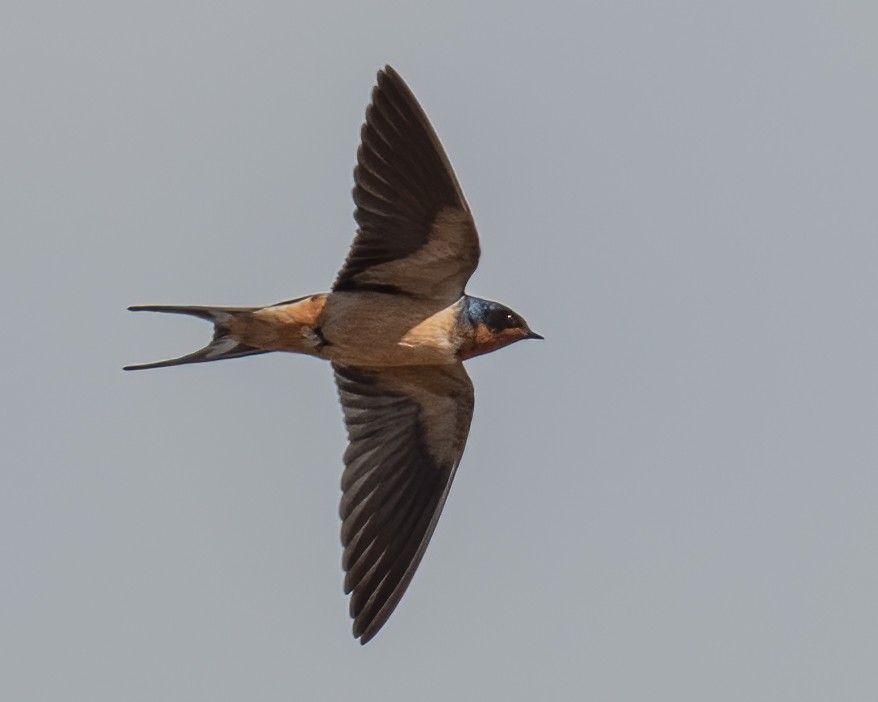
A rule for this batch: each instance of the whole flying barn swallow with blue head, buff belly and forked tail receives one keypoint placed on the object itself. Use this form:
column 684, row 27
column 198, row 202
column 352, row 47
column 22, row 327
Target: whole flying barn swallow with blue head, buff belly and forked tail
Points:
column 396, row 328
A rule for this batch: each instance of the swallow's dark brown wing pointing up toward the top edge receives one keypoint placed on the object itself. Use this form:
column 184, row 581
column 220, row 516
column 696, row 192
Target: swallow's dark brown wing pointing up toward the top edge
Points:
column 416, row 234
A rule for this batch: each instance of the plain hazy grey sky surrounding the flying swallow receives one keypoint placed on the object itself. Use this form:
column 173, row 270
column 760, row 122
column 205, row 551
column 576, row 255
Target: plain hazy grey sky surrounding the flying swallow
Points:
column 671, row 498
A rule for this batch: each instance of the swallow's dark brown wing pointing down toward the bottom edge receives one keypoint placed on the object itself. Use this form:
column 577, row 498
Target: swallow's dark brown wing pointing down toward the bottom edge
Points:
column 407, row 429
